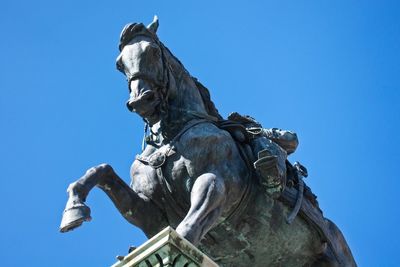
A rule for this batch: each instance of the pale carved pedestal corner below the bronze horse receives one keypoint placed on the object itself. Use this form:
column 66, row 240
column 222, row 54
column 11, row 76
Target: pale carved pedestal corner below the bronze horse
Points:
column 166, row 249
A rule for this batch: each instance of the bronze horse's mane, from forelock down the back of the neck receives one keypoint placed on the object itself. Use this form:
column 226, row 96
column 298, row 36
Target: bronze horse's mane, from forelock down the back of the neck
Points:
column 133, row 29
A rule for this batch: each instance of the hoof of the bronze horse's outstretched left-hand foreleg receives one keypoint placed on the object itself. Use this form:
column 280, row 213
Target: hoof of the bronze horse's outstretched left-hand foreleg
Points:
column 74, row 217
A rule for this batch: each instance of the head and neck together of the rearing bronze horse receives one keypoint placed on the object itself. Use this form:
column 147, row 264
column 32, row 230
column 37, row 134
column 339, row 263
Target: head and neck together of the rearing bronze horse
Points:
column 160, row 87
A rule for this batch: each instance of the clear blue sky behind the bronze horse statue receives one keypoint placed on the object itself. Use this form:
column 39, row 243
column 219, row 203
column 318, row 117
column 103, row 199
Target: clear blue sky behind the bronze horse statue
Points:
column 328, row 70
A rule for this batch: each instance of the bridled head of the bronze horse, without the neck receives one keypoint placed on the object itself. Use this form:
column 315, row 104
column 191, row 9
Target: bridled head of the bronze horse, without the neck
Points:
column 143, row 62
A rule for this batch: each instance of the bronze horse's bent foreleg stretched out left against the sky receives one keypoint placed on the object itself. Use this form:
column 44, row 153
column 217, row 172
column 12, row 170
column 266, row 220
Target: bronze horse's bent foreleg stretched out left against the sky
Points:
column 135, row 208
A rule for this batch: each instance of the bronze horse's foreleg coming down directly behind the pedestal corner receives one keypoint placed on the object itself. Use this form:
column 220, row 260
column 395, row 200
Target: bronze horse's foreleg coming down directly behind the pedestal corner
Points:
column 207, row 200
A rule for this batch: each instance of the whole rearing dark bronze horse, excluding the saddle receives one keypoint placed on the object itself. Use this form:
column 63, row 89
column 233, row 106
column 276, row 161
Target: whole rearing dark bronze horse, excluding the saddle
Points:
column 194, row 175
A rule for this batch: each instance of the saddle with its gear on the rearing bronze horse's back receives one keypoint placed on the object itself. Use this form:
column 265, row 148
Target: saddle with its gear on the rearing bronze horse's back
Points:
column 266, row 150
